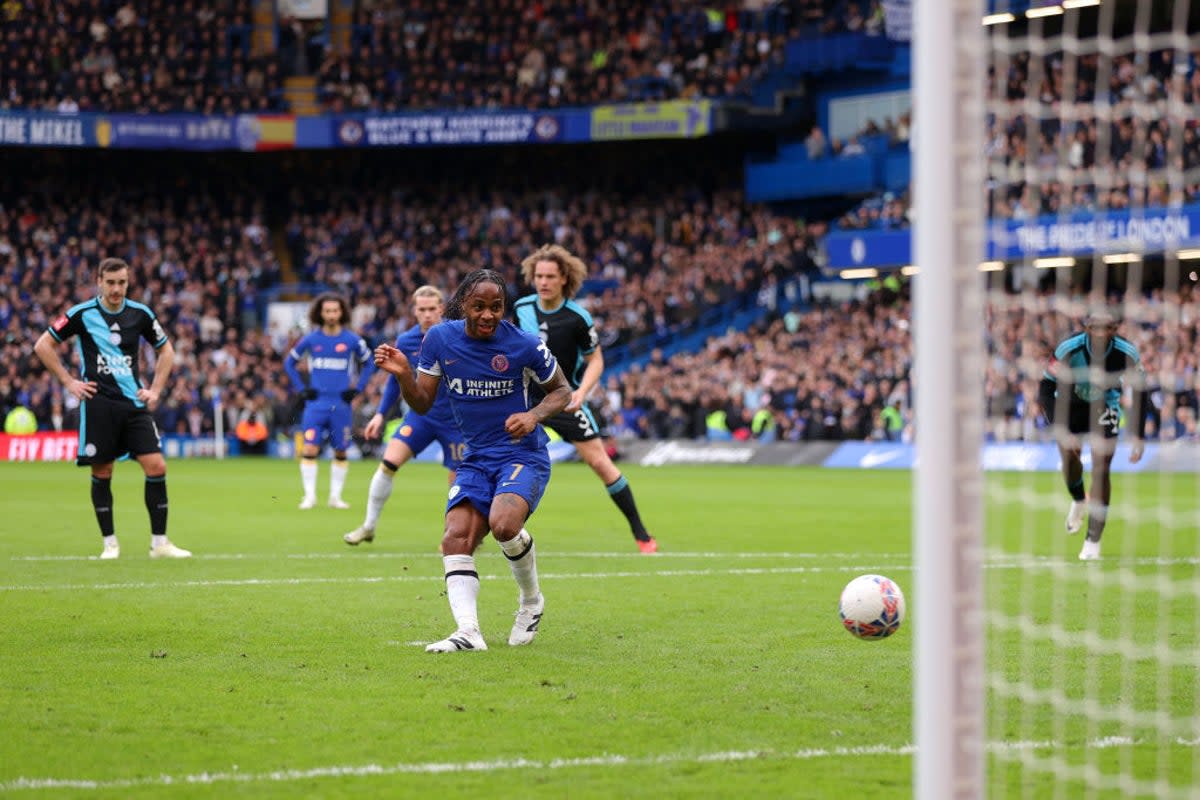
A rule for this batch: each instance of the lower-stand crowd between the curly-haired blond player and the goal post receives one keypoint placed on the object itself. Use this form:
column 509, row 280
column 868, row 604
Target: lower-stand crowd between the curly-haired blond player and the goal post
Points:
column 819, row 375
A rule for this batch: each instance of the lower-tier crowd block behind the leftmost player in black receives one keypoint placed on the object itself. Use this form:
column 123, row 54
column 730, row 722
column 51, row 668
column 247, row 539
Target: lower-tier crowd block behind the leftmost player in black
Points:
column 201, row 256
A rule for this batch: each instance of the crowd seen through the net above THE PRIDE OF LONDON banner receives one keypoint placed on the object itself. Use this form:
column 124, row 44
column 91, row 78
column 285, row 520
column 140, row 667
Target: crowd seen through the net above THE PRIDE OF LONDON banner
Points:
column 1099, row 143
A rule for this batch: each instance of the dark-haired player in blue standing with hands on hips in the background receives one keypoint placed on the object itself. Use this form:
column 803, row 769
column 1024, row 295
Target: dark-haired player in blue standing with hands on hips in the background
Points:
column 334, row 353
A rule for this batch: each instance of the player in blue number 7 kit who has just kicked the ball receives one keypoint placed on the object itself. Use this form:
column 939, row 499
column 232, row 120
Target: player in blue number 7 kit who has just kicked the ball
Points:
column 488, row 365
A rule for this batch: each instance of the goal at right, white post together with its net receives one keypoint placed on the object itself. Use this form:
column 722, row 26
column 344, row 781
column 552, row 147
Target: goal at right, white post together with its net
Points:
column 1089, row 669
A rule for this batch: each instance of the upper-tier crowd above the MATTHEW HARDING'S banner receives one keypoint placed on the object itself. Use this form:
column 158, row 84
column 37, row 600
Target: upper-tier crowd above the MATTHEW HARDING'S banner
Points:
column 208, row 57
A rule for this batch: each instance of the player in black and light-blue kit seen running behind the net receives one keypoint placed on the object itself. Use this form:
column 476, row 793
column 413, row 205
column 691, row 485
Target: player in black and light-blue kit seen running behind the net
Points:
column 1081, row 396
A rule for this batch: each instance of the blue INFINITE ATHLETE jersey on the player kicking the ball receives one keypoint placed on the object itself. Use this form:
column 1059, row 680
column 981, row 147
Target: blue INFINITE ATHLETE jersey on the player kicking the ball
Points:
column 488, row 381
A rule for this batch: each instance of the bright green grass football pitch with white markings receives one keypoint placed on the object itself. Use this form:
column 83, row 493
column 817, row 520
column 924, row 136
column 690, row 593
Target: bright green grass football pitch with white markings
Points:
column 280, row 663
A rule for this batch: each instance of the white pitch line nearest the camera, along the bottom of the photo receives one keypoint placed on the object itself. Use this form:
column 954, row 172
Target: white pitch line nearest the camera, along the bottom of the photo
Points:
column 496, row 766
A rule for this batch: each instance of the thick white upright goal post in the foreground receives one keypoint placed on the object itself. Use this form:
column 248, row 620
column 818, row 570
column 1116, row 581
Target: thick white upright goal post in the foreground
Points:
column 949, row 92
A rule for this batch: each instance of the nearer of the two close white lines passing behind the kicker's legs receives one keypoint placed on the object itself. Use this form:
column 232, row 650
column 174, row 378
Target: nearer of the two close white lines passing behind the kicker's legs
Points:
column 1000, row 564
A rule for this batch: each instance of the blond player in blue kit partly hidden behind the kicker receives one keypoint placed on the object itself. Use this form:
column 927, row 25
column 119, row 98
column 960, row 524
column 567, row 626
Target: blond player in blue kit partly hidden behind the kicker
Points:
column 416, row 431
